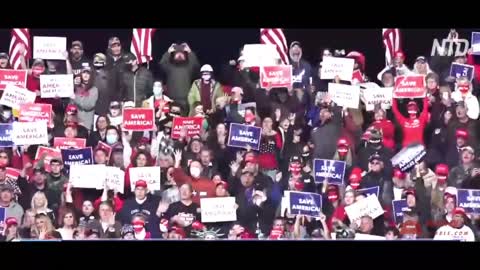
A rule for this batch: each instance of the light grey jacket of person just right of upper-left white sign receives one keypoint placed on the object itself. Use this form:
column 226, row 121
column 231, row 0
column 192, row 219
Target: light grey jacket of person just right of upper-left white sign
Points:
column 85, row 102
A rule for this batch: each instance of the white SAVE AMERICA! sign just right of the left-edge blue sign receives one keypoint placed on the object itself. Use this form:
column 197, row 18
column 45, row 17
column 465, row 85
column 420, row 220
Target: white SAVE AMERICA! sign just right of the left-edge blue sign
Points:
column 25, row 133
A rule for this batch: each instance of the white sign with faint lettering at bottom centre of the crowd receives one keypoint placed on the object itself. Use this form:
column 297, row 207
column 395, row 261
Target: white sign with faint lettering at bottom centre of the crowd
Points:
column 218, row 209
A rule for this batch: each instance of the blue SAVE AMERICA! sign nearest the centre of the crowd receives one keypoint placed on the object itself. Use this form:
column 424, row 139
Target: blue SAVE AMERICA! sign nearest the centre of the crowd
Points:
column 243, row 135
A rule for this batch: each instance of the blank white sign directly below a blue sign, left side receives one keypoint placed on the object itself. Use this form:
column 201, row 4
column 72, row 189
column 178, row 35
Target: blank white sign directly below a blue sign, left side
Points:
column 87, row 176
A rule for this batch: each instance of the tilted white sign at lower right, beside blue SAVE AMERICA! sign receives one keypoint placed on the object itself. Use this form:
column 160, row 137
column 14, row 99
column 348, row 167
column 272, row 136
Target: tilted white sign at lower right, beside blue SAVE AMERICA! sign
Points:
column 369, row 206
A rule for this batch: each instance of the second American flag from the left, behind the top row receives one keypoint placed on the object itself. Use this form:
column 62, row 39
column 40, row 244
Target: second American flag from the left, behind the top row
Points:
column 142, row 44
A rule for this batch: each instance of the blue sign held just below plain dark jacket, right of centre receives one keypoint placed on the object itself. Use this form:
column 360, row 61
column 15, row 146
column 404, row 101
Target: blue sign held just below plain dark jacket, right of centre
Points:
column 333, row 170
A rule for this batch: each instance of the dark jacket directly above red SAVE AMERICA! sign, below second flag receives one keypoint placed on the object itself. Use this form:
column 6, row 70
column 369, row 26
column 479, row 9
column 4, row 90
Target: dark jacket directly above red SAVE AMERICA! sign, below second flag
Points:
column 136, row 86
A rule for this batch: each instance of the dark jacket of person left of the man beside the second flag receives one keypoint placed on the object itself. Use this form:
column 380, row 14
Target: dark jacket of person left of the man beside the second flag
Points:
column 106, row 82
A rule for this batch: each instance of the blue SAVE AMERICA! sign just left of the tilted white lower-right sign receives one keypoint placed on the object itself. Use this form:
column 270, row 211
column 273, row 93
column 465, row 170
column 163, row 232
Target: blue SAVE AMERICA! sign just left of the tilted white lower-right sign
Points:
column 305, row 203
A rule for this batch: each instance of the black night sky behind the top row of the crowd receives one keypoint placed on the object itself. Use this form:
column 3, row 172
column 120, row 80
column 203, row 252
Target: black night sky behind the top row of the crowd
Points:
column 218, row 46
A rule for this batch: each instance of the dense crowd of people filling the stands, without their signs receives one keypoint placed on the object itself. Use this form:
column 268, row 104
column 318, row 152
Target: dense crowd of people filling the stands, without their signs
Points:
column 298, row 125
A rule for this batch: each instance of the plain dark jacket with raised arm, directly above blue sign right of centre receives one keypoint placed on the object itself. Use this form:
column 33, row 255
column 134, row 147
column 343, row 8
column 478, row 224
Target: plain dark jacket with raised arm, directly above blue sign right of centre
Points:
column 325, row 136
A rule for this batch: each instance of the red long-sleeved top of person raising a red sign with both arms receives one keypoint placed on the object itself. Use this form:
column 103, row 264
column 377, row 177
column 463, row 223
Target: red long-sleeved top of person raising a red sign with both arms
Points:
column 412, row 128
